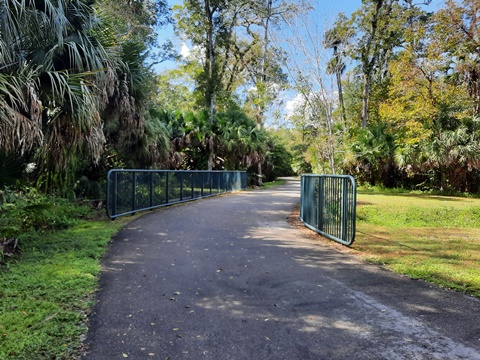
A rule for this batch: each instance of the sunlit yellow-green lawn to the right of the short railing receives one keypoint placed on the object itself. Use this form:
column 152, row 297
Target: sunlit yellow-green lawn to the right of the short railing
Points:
column 430, row 237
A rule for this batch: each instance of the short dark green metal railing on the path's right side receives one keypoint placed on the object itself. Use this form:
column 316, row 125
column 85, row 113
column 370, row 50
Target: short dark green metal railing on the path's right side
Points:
column 328, row 206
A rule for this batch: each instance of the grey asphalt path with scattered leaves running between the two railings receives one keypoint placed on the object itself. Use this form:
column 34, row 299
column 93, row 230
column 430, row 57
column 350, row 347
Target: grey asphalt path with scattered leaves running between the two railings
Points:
column 228, row 278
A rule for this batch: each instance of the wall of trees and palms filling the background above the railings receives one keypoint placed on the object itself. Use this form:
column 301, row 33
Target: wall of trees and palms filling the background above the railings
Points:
column 389, row 93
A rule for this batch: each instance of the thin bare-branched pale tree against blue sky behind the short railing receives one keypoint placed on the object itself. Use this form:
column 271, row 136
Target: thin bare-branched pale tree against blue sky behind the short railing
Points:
column 316, row 88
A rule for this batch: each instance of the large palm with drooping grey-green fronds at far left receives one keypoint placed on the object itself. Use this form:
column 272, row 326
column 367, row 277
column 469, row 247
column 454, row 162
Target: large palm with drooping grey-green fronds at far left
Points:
column 54, row 63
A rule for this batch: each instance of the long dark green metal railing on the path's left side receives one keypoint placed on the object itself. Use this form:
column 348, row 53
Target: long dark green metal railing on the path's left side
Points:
column 130, row 191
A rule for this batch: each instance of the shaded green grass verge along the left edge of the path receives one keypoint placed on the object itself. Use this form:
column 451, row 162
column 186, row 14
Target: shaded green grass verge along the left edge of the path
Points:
column 46, row 292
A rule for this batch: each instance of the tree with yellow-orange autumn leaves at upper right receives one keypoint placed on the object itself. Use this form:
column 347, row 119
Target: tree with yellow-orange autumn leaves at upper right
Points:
column 416, row 87
